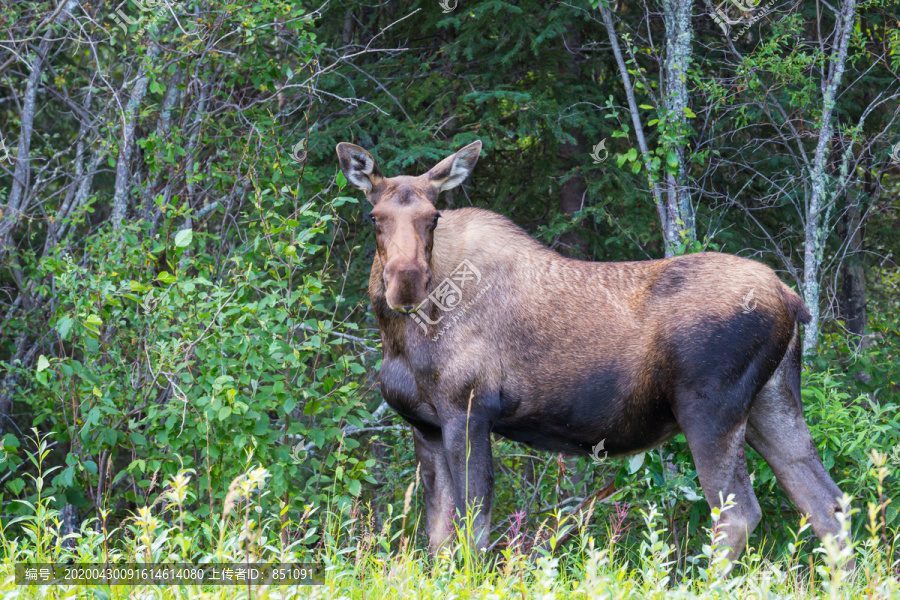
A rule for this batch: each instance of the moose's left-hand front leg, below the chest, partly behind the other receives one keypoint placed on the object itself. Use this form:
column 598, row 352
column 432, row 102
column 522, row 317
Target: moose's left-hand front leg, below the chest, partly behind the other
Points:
column 438, row 484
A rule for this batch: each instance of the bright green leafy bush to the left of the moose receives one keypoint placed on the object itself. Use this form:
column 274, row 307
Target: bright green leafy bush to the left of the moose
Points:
column 159, row 369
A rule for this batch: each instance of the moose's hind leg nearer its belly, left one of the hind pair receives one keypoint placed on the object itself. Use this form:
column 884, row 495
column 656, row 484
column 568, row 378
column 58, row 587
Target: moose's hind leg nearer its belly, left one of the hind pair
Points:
column 718, row 451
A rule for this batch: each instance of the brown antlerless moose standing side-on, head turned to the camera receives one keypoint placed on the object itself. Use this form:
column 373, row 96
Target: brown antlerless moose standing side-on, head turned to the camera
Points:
column 562, row 354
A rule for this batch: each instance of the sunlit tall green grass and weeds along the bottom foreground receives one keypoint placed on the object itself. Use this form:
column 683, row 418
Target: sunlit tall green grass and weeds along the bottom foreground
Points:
column 359, row 559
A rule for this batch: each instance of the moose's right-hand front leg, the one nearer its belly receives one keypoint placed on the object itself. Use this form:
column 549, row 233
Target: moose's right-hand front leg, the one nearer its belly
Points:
column 467, row 442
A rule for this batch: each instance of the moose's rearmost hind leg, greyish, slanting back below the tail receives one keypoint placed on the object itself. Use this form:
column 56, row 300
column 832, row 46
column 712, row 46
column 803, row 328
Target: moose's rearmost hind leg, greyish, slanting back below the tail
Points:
column 776, row 429
